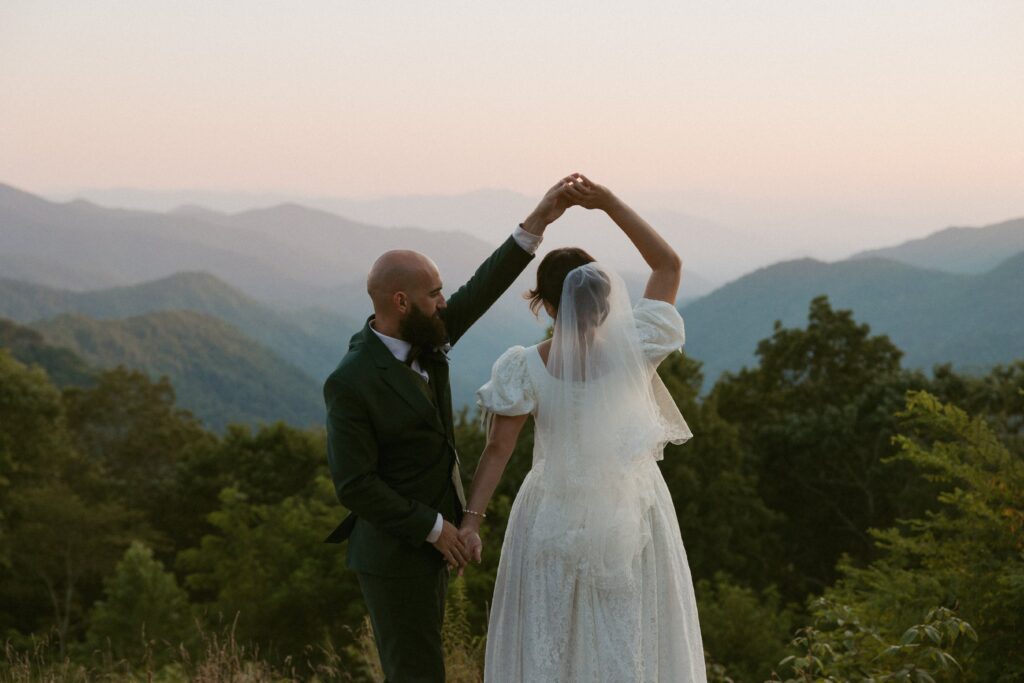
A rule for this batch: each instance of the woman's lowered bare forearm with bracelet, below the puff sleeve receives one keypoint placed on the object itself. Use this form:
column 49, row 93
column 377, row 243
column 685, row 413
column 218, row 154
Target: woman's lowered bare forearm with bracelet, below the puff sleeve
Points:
column 502, row 437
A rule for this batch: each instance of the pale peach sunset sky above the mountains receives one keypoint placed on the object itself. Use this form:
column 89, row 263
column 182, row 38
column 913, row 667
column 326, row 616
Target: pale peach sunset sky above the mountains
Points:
column 909, row 114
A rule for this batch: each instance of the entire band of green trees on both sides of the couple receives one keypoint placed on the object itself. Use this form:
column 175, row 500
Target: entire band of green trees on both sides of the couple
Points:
column 835, row 530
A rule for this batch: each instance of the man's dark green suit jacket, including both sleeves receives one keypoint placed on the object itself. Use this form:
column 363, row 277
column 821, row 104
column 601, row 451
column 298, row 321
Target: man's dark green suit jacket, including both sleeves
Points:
column 391, row 437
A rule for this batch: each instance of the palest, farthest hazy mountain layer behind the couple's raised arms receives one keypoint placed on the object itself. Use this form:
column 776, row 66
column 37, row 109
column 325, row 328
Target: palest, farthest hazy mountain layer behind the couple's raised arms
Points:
column 488, row 216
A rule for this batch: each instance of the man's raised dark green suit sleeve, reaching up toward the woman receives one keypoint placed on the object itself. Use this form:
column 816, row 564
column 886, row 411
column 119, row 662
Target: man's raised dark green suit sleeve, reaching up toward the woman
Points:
column 491, row 280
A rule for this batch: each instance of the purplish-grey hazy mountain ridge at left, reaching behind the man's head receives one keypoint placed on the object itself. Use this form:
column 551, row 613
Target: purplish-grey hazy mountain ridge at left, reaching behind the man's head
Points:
column 286, row 255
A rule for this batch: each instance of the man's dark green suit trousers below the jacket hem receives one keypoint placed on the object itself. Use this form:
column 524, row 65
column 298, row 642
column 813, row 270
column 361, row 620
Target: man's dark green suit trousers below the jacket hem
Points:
column 407, row 615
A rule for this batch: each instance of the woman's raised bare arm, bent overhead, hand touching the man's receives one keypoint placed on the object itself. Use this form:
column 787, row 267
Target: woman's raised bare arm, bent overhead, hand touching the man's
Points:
column 665, row 264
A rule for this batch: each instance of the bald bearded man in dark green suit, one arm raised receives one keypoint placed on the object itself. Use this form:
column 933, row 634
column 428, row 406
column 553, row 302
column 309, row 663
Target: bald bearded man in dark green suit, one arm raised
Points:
column 391, row 442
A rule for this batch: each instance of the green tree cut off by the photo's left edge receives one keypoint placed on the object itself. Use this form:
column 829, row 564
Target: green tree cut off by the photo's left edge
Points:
column 57, row 542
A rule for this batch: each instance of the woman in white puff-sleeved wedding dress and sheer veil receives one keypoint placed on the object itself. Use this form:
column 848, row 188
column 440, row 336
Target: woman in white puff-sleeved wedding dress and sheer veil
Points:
column 593, row 583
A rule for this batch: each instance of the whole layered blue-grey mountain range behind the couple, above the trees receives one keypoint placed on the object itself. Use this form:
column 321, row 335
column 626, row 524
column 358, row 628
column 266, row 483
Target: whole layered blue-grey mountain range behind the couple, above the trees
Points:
column 283, row 288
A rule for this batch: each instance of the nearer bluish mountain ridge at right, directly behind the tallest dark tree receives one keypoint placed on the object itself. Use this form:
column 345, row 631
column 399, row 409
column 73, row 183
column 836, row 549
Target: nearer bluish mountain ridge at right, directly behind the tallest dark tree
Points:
column 973, row 322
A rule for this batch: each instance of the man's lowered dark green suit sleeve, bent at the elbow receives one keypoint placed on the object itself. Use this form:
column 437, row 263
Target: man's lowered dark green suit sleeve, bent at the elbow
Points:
column 352, row 453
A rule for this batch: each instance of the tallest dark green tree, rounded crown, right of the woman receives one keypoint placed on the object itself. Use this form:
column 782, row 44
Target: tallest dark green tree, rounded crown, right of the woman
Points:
column 817, row 415
